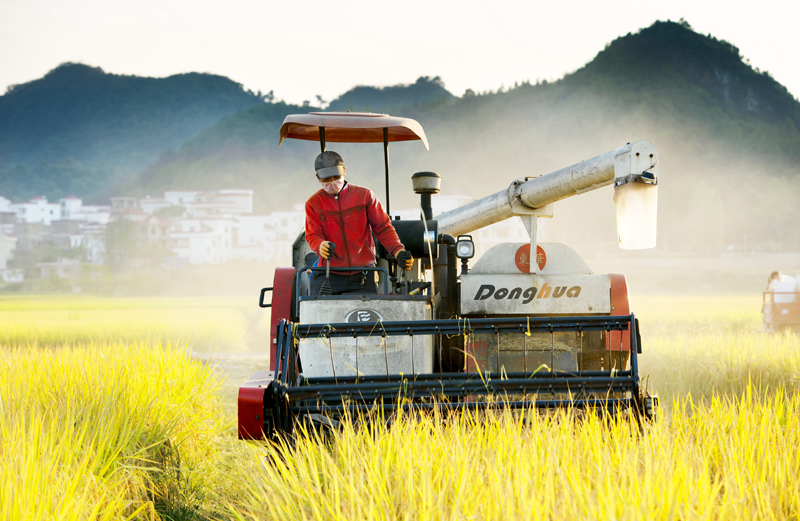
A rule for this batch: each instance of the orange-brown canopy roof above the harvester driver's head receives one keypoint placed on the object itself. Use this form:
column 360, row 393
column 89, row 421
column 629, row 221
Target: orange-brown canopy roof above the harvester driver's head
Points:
column 351, row 127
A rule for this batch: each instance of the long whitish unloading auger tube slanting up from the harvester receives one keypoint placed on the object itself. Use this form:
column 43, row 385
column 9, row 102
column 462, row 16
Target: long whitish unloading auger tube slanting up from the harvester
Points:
column 538, row 192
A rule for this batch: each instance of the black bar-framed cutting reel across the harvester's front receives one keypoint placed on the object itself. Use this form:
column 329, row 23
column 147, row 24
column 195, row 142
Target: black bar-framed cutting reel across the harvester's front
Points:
column 296, row 397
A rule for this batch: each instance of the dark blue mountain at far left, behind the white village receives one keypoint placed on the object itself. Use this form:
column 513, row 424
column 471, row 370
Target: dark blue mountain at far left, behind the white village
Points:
column 102, row 126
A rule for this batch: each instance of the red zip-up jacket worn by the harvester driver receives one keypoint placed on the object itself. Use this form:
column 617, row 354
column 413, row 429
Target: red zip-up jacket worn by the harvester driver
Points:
column 348, row 220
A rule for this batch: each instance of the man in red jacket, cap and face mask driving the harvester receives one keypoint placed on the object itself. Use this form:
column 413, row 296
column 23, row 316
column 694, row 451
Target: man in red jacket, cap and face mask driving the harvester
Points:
column 340, row 221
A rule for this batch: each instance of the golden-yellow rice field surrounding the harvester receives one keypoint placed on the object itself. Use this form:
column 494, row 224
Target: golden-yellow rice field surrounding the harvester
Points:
column 123, row 409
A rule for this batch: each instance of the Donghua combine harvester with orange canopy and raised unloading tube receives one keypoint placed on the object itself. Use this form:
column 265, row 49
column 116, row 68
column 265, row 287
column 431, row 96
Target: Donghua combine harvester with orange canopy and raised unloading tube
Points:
column 516, row 329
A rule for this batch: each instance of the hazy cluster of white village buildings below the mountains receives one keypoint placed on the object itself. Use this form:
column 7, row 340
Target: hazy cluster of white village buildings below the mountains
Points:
column 195, row 226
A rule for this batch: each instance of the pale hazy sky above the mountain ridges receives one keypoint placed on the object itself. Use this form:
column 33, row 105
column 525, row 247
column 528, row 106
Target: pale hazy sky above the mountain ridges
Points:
column 303, row 48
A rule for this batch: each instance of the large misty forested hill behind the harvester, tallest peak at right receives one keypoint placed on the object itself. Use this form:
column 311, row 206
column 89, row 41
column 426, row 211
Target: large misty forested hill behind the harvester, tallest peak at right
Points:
column 726, row 134
